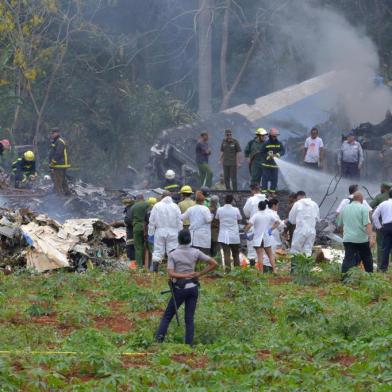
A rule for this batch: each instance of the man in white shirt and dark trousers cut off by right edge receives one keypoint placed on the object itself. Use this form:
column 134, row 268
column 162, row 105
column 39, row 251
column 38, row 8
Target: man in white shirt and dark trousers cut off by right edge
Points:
column 384, row 211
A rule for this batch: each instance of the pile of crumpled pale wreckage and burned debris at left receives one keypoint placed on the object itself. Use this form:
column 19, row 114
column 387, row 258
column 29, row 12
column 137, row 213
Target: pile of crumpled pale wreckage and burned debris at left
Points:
column 40, row 243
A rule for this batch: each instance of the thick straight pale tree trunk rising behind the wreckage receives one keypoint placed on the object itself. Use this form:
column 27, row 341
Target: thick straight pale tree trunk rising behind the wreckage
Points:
column 205, row 57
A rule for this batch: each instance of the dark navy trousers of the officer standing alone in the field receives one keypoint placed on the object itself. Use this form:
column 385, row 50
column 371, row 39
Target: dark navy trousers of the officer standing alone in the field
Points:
column 189, row 296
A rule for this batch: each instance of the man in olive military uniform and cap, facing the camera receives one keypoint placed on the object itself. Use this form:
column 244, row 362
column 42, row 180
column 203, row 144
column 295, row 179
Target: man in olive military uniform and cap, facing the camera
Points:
column 230, row 159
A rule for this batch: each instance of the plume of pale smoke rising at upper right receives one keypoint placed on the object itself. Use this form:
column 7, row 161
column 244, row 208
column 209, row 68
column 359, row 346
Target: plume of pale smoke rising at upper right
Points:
column 327, row 41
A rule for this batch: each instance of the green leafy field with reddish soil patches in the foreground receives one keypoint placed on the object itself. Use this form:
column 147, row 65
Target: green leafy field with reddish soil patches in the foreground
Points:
column 253, row 332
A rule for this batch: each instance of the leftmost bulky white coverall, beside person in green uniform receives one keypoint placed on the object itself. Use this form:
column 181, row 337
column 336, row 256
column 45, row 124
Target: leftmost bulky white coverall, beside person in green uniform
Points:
column 165, row 223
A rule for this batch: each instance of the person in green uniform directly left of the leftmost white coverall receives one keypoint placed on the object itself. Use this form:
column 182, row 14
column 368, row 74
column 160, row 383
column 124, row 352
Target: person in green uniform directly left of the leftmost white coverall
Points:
column 138, row 213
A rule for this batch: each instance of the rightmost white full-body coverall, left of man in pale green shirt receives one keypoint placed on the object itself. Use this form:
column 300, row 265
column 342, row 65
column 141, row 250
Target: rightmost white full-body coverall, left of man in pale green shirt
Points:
column 304, row 214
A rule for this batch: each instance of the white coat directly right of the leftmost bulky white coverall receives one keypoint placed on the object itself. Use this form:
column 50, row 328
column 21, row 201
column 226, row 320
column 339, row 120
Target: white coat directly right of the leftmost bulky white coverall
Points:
column 200, row 225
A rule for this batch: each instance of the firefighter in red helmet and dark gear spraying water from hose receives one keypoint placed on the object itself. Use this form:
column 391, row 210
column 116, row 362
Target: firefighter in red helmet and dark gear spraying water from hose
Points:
column 271, row 149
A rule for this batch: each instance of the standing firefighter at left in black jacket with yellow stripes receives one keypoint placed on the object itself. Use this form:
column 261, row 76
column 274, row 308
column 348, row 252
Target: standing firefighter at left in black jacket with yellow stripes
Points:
column 58, row 162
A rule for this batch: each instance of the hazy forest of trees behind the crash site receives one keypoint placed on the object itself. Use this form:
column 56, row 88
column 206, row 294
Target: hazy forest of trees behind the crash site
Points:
column 113, row 73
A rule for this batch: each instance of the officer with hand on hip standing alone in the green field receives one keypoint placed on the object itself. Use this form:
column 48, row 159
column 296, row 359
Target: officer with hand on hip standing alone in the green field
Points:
column 181, row 271
